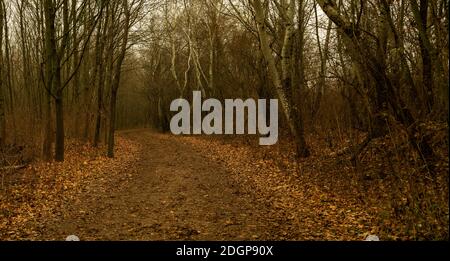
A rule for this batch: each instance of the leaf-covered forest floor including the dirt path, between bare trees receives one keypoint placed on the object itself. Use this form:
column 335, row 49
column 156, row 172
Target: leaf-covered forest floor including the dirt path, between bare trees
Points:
column 162, row 187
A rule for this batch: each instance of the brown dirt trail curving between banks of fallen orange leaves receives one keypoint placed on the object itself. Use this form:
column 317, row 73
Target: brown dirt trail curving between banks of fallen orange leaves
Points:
column 175, row 194
